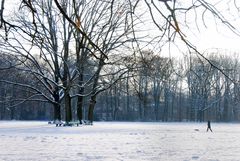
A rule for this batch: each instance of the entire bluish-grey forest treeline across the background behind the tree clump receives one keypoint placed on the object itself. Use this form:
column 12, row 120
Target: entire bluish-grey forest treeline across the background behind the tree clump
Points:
column 158, row 89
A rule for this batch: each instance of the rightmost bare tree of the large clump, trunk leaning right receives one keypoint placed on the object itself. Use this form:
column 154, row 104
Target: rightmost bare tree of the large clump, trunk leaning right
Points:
column 107, row 26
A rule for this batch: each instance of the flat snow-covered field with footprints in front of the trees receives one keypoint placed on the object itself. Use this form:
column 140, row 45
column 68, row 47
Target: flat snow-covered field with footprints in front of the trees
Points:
column 115, row 141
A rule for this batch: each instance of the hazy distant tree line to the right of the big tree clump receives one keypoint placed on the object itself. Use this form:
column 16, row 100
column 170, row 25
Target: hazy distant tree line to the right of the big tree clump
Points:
column 166, row 89
